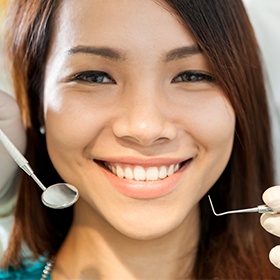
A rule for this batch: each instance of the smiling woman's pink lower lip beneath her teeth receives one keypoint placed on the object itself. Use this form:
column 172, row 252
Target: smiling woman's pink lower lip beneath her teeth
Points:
column 146, row 189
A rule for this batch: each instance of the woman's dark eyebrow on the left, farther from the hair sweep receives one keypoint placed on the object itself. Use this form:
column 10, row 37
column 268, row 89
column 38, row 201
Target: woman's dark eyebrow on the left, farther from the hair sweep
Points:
column 106, row 52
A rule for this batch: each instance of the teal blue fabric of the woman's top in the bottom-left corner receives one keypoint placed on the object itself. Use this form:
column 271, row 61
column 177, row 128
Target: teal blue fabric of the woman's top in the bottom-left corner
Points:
column 30, row 271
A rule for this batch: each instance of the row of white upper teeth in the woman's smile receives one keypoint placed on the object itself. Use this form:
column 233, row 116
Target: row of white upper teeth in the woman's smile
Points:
column 140, row 173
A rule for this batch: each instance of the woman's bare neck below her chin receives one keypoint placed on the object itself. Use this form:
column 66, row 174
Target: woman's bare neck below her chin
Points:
column 101, row 252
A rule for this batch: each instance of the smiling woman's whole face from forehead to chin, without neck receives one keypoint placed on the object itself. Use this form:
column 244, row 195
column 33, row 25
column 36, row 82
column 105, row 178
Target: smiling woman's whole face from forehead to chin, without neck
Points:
column 133, row 117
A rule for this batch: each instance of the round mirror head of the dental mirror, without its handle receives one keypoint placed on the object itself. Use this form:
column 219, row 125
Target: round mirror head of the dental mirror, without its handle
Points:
column 60, row 196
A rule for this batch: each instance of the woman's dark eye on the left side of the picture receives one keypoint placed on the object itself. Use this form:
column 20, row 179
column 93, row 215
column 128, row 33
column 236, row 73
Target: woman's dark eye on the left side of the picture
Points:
column 94, row 77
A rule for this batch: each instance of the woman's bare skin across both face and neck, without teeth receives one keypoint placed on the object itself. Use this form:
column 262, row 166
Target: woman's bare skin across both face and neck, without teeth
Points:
column 139, row 113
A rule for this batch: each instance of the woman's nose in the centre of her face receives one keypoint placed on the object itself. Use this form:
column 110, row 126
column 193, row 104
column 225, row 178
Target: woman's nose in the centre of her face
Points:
column 145, row 119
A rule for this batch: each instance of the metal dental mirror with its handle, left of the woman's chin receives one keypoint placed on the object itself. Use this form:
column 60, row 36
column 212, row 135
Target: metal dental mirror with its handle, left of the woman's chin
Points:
column 56, row 196
